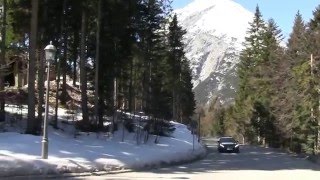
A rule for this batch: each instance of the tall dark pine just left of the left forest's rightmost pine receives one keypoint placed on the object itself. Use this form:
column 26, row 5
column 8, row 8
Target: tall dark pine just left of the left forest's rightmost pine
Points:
column 151, row 37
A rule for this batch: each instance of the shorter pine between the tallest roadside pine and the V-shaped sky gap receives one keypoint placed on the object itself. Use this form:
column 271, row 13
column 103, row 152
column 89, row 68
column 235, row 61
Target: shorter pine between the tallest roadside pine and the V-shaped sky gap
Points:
column 274, row 55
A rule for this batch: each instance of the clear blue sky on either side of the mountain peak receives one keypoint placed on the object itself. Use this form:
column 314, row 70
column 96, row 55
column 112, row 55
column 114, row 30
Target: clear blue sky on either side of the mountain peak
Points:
column 282, row 11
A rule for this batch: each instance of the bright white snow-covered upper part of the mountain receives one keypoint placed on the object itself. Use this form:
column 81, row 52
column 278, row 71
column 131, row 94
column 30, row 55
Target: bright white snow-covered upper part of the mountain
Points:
column 220, row 17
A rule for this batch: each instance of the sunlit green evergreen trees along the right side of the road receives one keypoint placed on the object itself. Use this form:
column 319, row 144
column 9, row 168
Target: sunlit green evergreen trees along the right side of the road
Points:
column 277, row 101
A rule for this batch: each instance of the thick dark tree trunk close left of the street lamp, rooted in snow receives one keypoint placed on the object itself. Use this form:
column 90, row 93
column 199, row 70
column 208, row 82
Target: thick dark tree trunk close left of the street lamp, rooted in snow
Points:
column 31, row 123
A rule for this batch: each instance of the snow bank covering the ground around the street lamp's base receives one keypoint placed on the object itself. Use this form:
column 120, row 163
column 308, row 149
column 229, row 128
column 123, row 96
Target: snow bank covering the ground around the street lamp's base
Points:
column 20, row 154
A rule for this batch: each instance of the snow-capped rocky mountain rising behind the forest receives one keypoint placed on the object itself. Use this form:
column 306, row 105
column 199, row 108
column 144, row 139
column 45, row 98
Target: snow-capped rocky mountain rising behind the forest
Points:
column 215, row 32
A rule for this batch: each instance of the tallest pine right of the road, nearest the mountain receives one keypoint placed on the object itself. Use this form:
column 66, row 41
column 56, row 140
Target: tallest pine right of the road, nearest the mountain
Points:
column 250, row 58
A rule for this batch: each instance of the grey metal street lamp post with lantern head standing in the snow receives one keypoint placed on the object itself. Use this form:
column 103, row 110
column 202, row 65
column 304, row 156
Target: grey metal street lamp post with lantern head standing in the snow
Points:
column 50, row 52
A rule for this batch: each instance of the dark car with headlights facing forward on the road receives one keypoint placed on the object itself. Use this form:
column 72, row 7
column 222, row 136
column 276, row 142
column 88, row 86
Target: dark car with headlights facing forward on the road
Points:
column 228, row 144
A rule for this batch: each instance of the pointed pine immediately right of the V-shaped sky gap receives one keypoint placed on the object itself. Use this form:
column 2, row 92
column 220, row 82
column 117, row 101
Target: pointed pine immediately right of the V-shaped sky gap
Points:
column 296, row 55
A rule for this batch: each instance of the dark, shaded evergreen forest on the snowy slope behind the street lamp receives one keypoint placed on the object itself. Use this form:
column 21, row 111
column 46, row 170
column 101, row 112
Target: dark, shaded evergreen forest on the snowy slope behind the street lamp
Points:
column 115, row 55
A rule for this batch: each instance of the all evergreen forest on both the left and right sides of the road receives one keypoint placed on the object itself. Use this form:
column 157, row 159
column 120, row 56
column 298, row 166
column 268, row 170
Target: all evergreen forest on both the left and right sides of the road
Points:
column 129, row 55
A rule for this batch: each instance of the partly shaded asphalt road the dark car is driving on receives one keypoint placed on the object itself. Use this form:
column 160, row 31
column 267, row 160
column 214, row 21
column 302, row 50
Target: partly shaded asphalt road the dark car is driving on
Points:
column 252, row 163
